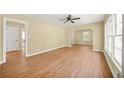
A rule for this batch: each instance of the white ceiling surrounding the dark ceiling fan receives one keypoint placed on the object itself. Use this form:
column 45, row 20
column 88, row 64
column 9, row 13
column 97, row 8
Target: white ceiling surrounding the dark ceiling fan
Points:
column 85, row 18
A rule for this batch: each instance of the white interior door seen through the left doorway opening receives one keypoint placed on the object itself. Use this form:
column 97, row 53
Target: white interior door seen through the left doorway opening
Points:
column 12, row 38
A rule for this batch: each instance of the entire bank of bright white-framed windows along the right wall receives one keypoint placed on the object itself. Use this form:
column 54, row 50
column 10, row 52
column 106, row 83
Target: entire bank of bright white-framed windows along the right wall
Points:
column 113, row 38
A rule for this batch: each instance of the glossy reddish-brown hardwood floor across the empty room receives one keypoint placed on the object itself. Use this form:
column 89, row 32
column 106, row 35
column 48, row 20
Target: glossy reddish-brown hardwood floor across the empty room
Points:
column 78, row 61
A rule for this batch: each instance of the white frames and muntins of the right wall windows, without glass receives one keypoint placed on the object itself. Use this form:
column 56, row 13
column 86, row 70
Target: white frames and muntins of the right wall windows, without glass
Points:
column 112, row 20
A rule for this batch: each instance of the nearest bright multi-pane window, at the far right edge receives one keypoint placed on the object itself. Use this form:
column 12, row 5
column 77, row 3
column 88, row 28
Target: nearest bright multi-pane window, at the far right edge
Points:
column 118, row 40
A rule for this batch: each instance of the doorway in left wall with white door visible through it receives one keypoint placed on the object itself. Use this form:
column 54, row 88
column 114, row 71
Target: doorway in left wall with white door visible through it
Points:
column 14, row 37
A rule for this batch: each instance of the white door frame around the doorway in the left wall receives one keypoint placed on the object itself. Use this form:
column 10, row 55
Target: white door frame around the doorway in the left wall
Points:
column 5, row 19
